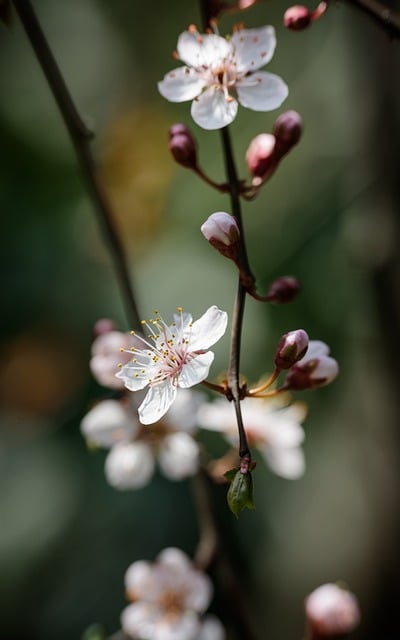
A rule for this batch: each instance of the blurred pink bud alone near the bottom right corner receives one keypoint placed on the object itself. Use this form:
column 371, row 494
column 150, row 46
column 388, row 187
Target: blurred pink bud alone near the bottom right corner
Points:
column 331, row 612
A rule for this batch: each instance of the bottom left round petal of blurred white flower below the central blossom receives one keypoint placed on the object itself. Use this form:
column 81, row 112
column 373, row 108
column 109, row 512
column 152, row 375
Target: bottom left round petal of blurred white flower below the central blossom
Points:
column 129, row 465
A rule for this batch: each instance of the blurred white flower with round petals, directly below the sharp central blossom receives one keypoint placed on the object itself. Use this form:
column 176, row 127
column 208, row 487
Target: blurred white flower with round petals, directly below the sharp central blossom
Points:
column 130, row 464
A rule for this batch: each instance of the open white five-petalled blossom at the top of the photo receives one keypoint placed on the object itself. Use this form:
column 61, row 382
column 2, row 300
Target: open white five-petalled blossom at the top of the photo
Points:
column 215, row 67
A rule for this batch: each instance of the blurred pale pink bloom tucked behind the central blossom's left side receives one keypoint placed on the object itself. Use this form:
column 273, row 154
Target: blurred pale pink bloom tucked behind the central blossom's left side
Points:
column 107, row 355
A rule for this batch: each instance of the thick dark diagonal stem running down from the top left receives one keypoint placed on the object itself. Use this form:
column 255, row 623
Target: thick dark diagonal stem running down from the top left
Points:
column 80, row 136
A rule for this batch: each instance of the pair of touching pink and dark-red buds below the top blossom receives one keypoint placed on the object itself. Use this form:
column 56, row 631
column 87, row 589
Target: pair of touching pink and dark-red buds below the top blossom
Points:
column 267, row 149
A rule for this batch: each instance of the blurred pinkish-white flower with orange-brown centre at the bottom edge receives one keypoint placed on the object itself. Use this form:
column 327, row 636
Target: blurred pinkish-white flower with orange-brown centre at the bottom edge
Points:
column 169, row 598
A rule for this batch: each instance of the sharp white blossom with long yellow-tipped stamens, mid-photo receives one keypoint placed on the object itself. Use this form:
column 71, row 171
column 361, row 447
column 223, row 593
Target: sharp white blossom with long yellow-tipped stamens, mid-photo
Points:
column 173, row 356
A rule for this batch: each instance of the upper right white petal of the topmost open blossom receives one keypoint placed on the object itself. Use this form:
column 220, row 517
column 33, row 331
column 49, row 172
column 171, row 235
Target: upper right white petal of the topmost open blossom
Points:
column 253, row 48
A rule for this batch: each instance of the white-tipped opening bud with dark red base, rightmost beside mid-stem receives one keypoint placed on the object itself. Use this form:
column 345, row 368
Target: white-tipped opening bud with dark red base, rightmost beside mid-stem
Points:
column 314, row 370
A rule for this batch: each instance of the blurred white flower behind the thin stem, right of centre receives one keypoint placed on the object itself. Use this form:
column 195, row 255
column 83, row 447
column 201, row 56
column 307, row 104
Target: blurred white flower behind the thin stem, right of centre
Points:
column 271, row 426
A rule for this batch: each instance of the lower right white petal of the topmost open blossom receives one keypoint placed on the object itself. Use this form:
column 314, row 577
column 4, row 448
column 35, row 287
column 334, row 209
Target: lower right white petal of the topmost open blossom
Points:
column 261, row 91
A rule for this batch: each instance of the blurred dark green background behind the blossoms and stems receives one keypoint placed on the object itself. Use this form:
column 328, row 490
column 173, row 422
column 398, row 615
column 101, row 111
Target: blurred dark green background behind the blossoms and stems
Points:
column 330, row 216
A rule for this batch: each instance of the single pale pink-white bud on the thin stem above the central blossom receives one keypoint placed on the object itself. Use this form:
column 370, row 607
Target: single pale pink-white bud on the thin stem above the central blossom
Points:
column 222, row 232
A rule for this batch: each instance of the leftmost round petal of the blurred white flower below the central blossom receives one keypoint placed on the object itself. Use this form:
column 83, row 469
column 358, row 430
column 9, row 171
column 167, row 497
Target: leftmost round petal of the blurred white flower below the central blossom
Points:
column 108, row 422
